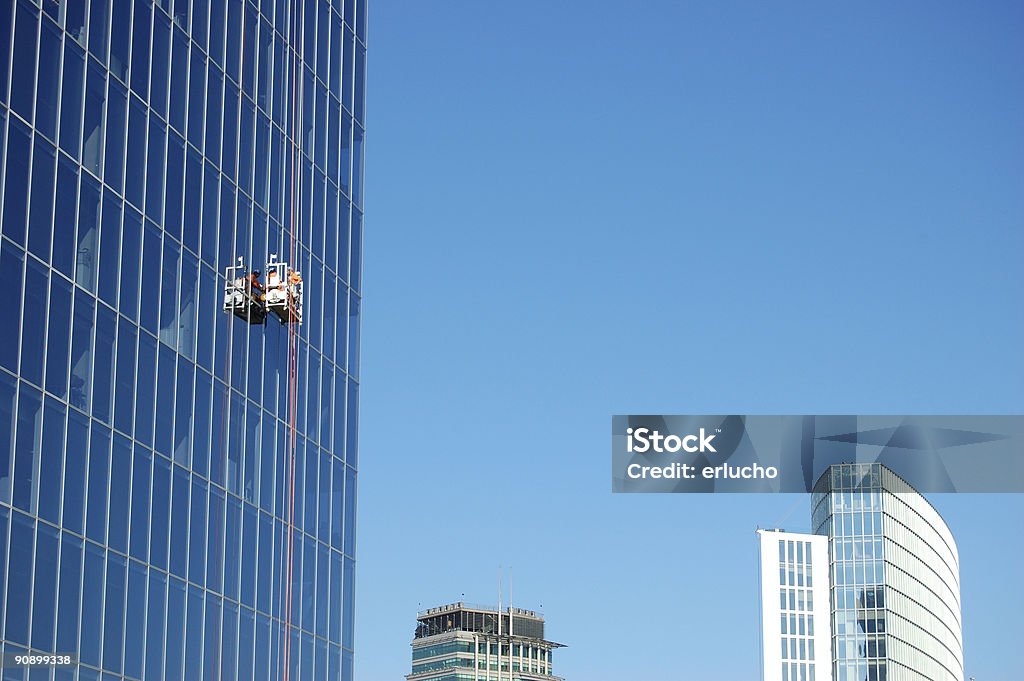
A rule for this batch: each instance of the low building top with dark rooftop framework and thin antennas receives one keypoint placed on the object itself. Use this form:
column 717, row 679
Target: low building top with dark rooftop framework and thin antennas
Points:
column 461, row 643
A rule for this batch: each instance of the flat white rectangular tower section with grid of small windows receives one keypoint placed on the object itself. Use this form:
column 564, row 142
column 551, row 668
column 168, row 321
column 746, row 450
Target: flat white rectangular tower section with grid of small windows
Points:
column 795, row 637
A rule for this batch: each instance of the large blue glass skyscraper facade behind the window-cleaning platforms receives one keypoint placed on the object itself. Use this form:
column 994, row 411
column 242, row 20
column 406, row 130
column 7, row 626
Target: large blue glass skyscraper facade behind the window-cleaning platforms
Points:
column 178, row 487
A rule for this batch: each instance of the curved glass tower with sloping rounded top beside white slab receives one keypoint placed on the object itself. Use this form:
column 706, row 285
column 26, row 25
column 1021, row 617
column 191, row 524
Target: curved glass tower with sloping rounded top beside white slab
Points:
column 895, row 579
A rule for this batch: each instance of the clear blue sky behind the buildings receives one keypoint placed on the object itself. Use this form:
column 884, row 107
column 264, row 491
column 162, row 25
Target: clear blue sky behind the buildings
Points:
column 580, row 209
